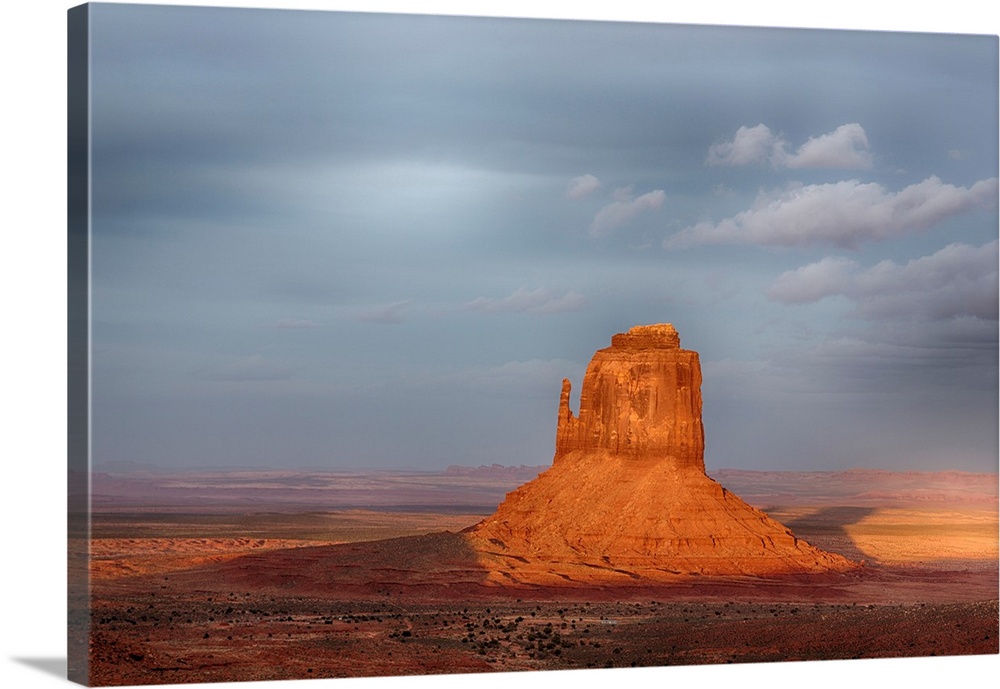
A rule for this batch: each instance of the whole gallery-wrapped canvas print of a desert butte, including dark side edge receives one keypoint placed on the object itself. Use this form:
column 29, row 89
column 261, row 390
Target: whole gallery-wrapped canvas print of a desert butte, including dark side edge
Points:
column 409, row 345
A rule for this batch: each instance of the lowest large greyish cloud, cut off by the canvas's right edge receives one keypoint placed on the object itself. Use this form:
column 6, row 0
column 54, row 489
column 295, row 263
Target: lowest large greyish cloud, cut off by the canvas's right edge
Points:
column 959, row 280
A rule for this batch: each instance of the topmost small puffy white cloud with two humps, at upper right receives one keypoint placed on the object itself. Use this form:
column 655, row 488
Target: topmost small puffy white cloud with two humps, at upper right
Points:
column 845, row 148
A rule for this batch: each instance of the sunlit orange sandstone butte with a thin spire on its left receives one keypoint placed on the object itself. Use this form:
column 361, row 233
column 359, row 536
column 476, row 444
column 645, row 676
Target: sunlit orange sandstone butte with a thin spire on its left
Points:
column 627, row 498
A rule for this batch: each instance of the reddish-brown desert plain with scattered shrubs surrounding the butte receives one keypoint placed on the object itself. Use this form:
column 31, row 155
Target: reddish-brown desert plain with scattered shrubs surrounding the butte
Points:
column 271, row 575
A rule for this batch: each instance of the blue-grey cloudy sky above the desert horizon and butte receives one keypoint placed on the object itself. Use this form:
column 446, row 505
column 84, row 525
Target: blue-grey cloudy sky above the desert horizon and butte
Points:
column 337, row 240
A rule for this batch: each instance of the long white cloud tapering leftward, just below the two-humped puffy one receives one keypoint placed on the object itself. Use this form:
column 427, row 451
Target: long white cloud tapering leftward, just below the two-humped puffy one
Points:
column 843, row 214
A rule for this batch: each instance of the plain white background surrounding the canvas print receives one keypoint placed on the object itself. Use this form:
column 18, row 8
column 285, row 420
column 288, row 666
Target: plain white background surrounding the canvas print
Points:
column 33, row 332
